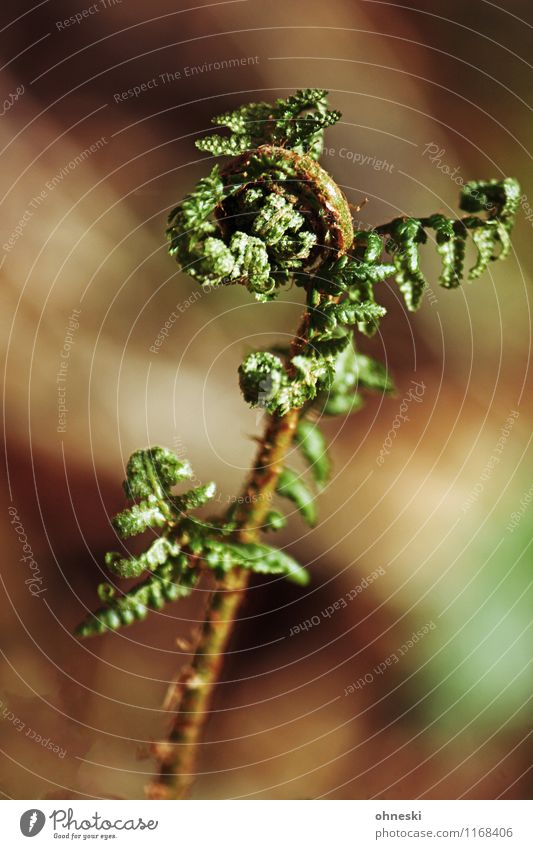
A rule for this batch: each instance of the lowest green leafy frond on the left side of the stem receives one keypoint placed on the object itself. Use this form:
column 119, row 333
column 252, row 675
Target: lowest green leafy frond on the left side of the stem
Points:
column 186, row 544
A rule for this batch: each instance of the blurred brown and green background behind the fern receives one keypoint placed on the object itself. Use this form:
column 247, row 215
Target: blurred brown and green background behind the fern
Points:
column 450, row 719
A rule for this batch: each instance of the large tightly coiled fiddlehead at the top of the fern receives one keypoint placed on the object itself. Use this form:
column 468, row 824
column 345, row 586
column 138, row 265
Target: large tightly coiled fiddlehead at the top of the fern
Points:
column 272, row 212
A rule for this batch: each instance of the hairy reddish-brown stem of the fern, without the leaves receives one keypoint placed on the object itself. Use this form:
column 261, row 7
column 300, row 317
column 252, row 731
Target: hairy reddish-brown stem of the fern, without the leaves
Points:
column 192, row 694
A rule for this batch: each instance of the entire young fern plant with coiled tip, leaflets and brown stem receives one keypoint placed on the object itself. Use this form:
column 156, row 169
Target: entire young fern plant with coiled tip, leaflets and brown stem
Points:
column 271, row 215
